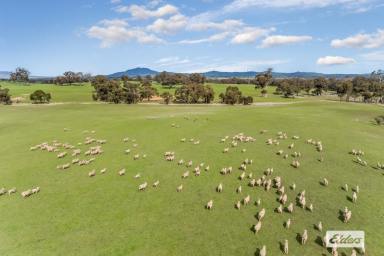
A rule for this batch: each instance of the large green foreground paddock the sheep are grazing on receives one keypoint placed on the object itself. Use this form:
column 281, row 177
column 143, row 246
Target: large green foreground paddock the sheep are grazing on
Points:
column 106, row 215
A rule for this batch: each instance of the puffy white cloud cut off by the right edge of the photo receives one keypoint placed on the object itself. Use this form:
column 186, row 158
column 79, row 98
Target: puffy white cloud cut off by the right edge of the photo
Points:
column 374, row 40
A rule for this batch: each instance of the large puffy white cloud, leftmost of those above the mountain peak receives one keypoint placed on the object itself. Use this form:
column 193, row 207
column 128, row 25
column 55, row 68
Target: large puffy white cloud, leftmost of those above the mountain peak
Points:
column 115, row 31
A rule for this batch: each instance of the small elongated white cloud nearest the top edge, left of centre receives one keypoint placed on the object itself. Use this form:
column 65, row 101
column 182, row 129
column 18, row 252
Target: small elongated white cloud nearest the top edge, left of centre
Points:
column 142, row 12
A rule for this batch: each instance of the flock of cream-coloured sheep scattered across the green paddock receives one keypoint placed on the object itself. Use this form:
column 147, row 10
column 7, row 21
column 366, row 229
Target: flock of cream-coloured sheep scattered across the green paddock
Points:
column 266, row 181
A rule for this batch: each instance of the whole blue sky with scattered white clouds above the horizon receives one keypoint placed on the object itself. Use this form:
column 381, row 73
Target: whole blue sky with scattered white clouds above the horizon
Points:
column 106, row 36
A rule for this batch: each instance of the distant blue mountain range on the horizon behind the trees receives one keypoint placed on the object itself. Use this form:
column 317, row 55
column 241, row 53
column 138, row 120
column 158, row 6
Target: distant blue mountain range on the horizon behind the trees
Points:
column 248, row 74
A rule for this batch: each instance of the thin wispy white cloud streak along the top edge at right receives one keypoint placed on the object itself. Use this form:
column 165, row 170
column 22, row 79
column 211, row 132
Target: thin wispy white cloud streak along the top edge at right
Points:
column 243, row 4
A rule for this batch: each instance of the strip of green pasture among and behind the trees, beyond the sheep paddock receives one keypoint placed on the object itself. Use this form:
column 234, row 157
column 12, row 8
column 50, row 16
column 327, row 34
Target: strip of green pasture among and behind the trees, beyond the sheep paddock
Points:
column 83, row 93
